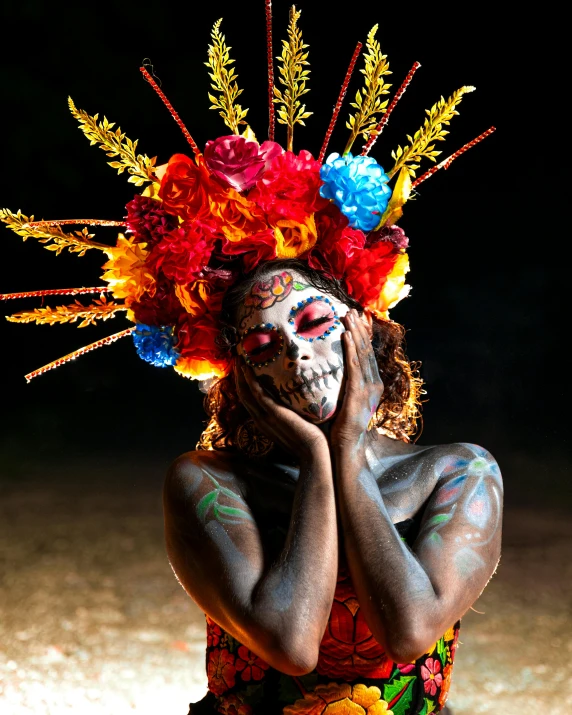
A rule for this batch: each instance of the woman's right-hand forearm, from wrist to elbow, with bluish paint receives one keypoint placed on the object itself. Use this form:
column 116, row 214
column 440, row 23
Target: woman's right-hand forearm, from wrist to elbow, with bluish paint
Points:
column 393, row 589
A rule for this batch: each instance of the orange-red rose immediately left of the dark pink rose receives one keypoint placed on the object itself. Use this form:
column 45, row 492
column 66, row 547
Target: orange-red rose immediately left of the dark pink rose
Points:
column 184, row 188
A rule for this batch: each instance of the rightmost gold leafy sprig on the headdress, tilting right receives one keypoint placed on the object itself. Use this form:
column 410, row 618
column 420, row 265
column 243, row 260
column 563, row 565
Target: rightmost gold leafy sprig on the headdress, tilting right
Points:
column 433, row 129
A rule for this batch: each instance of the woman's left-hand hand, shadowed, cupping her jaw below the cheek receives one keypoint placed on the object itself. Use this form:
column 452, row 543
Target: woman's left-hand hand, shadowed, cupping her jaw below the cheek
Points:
column 279, row 423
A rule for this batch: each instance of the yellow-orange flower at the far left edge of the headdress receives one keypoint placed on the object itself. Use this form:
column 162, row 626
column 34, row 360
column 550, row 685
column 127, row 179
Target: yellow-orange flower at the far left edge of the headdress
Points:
column 126, row 271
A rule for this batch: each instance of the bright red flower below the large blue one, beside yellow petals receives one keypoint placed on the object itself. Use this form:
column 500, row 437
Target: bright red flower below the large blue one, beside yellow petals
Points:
column 367, row 271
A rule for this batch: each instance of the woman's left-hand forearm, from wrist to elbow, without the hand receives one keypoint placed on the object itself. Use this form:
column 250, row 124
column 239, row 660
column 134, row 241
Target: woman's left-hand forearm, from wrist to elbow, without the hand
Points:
column 295, row 596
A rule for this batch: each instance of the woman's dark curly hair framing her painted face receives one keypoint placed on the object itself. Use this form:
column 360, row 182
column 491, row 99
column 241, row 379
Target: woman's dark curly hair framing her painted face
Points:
column 398, row 411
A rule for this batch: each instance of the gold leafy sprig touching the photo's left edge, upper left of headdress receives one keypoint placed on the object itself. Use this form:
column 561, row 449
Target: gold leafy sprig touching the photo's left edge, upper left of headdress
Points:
column 77, row 242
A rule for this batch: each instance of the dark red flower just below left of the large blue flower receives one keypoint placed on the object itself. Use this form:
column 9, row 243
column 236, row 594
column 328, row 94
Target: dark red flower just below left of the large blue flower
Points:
column 337, row 242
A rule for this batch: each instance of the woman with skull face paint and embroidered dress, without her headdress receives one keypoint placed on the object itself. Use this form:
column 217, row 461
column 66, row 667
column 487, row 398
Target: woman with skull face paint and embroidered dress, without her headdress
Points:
column 330, row 568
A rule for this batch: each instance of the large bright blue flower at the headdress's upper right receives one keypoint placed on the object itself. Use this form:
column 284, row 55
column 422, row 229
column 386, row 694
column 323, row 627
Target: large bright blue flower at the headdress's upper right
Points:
column 358, row 187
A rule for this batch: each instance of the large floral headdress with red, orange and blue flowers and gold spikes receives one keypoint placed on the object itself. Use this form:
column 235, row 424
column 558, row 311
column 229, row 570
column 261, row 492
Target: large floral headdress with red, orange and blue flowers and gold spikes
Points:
column 202, row 222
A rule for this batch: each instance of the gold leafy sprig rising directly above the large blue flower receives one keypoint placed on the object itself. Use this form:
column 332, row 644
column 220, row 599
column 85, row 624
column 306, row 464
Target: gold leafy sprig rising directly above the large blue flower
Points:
column 369, row 103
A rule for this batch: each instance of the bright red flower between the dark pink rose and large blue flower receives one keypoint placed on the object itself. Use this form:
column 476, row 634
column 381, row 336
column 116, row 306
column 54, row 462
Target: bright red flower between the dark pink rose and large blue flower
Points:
column 289, row 188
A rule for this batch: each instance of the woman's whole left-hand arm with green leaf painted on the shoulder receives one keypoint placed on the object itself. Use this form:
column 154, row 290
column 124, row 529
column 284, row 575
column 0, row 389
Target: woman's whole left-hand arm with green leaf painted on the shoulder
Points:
column 278, row 610
